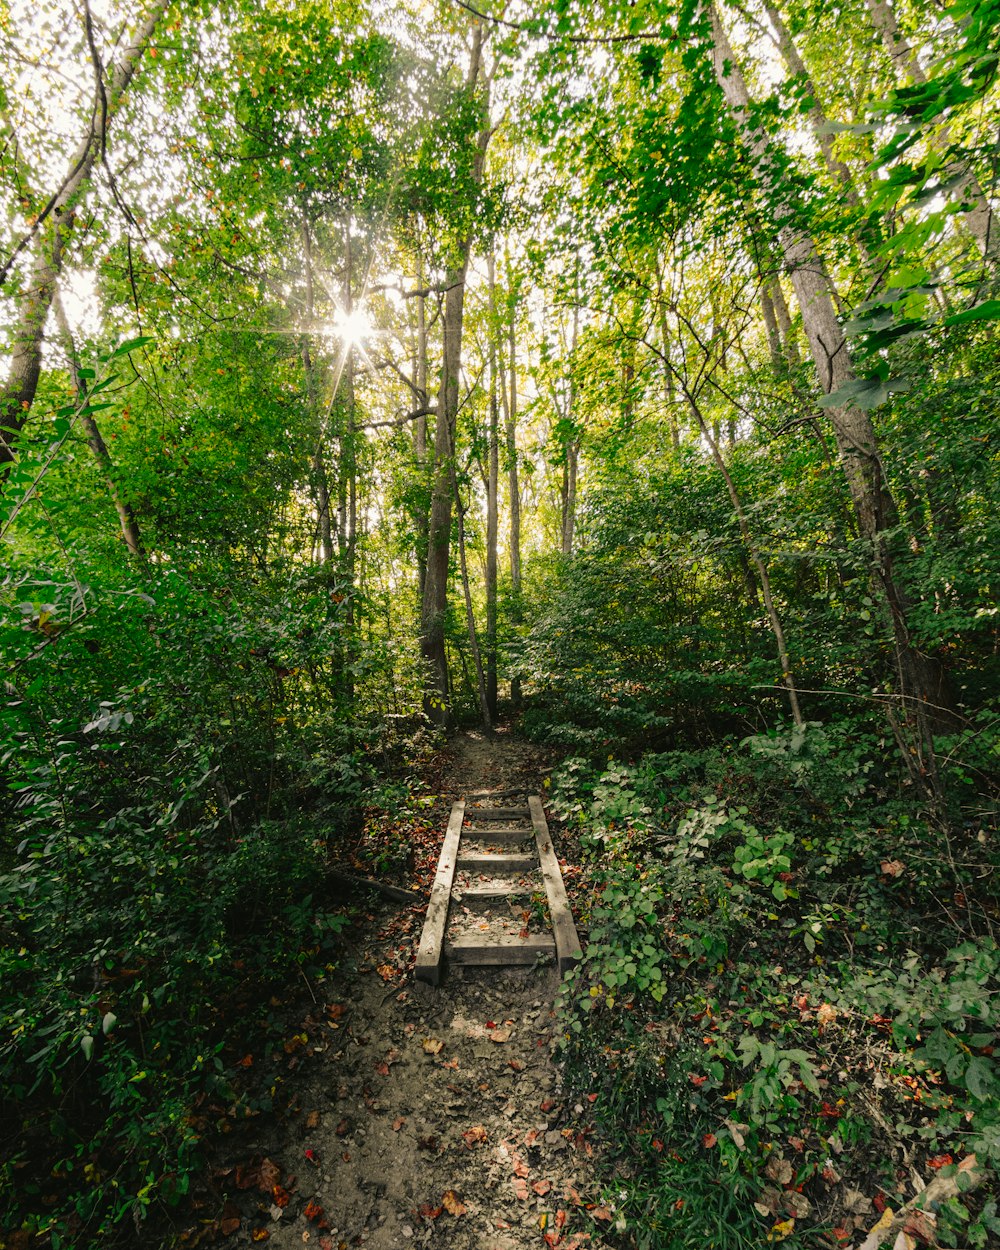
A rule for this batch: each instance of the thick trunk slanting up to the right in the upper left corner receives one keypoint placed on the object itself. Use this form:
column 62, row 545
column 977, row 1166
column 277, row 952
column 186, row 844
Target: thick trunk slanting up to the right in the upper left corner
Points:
column 28, row 337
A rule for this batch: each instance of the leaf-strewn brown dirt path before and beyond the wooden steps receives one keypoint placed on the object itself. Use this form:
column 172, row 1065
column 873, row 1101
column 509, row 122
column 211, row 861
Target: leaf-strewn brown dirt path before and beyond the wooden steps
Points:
column 429, row 1116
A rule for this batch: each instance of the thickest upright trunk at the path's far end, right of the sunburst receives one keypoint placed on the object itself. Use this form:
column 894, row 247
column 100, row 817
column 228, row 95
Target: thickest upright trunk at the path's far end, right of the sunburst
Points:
column 439, row 529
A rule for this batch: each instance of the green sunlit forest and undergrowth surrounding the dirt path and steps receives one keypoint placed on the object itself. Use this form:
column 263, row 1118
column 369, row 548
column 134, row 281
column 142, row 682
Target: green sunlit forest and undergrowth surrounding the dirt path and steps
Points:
column 619, row 376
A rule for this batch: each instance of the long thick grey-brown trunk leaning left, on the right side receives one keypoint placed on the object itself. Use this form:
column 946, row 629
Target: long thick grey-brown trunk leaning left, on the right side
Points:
column 921, row 678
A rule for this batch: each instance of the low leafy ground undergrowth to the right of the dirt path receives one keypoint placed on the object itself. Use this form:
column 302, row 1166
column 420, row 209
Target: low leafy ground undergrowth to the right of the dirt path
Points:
column 791, row 996
